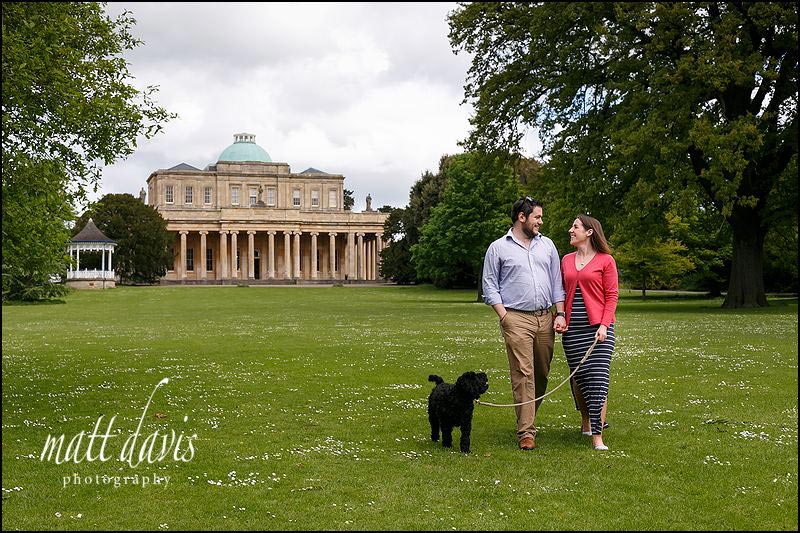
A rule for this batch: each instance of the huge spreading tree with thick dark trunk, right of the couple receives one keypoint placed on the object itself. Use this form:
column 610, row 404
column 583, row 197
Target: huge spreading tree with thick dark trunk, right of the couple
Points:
column 647, row 99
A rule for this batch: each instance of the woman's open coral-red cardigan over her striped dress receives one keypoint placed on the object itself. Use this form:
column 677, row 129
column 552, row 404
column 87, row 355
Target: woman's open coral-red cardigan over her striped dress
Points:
column 599, row 287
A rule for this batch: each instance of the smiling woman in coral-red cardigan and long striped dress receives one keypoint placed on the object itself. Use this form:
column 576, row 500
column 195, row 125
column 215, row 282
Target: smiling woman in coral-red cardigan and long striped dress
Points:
column 590, row 281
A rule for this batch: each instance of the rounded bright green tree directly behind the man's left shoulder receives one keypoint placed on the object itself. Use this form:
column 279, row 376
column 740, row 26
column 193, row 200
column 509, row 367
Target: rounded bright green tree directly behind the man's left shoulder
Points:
column 474, row 211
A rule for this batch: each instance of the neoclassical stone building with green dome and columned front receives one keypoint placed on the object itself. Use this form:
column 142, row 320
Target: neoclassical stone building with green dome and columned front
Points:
column 247, row 218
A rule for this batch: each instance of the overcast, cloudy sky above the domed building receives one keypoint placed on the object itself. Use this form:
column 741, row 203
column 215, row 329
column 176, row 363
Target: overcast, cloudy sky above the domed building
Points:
column 371, row 91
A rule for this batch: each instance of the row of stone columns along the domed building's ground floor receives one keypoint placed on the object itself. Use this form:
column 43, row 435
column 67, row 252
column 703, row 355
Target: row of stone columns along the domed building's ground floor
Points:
column 348, row 255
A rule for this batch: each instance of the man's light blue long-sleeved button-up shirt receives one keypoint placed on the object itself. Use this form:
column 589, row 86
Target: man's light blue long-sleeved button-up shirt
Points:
column 522, row 278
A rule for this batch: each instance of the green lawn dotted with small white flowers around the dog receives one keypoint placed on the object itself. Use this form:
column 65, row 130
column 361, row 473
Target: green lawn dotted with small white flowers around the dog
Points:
column 309, row 410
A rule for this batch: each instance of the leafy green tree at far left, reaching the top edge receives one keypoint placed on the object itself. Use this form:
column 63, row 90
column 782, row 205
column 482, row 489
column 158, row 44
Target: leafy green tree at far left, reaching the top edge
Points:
column 68, row 109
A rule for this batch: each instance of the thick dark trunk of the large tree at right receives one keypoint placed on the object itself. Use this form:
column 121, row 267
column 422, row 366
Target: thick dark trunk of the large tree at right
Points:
column 746, row 284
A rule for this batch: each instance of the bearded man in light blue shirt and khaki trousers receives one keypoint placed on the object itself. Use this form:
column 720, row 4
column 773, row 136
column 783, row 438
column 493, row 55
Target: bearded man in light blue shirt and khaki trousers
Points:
column 522, row 281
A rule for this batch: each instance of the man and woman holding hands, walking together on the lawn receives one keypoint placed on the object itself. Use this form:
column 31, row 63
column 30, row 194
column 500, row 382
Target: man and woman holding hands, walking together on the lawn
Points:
column 523, row 278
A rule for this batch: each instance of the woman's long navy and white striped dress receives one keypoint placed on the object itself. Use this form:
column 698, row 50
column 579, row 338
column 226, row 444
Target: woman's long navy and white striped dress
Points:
column 592, row 377
